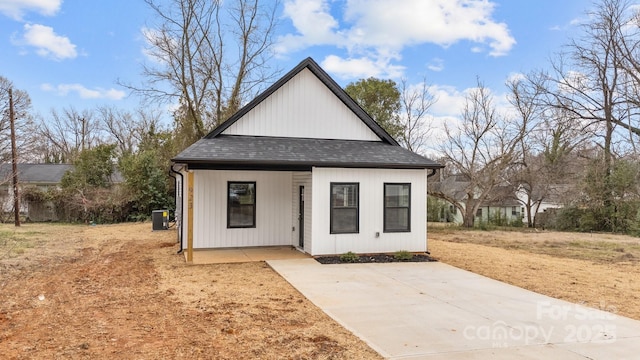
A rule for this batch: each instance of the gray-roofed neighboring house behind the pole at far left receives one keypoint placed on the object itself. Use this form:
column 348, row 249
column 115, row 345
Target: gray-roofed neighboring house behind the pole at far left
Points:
column 42, row 176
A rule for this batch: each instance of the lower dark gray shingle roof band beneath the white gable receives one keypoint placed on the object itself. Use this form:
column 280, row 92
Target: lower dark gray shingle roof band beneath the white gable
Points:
column 254, row 152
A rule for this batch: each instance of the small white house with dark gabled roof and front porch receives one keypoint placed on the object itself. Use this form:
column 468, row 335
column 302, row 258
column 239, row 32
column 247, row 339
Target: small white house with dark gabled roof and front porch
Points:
column 303, row 165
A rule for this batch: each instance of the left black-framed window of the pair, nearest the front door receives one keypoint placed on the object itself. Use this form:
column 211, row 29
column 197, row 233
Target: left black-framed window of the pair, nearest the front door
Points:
column 345, row 204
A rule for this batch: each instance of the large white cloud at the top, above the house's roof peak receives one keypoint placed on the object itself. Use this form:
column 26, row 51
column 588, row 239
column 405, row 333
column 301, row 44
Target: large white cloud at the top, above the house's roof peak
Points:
column 381, row 29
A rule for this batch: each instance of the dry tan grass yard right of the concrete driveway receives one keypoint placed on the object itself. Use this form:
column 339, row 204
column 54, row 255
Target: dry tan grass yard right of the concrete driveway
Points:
column 597, row 270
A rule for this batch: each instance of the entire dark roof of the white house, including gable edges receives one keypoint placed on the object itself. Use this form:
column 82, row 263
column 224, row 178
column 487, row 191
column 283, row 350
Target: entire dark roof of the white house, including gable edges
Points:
column 219, row 151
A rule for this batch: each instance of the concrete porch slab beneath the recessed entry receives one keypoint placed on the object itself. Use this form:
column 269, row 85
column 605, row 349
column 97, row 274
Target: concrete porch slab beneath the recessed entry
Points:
column 250, row 254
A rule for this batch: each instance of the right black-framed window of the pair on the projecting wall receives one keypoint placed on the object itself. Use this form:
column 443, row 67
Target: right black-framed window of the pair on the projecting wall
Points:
column 397, row 207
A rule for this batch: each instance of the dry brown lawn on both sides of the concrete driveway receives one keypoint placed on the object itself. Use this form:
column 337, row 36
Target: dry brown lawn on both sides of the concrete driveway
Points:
column 120, row 291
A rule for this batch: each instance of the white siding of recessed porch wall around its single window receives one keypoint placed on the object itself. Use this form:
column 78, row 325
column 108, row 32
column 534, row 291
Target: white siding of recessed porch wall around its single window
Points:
column 273, row 209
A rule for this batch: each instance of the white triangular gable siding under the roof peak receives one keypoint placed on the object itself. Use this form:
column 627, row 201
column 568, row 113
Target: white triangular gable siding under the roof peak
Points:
column 303, row 108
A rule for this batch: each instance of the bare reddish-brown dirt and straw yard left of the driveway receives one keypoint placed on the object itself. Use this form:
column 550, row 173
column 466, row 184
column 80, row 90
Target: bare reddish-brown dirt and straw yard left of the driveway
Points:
column 120, row 291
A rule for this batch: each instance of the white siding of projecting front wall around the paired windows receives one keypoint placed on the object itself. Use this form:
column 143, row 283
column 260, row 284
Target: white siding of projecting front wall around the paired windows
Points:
column 371, row 212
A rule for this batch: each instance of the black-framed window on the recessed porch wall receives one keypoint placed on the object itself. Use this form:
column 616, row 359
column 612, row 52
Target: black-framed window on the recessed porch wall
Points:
column 241, row 204
